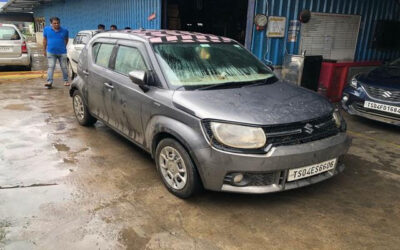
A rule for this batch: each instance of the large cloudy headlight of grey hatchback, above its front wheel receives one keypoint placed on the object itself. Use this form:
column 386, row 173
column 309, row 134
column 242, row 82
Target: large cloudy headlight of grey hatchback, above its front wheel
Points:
column 237, row 136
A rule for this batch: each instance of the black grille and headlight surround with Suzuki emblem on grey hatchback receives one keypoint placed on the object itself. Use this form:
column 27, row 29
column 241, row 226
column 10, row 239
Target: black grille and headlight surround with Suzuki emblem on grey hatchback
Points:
column 286, row 134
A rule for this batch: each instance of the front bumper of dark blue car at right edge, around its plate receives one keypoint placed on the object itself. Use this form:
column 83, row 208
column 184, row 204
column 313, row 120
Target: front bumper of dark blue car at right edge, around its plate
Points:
column 355, row 106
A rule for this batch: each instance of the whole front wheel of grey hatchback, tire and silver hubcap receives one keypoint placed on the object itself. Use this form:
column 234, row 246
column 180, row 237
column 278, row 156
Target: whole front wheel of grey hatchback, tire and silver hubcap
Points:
column 172, row 159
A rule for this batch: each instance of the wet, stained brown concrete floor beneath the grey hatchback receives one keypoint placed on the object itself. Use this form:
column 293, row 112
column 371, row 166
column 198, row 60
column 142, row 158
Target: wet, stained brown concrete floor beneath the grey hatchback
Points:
column 64, row 186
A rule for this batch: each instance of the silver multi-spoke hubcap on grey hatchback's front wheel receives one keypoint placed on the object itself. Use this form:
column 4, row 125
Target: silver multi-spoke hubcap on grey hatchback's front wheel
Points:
column 173, row 168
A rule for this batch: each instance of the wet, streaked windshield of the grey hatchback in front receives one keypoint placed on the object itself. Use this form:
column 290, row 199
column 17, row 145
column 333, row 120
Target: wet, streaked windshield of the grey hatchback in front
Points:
column 193, row 66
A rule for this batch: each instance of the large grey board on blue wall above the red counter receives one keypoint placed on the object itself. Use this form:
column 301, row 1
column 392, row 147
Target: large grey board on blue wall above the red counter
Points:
column 334, row 36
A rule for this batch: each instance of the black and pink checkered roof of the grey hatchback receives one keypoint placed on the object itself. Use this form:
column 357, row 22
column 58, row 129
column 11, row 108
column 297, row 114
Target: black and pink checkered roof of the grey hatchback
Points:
column 172, row 36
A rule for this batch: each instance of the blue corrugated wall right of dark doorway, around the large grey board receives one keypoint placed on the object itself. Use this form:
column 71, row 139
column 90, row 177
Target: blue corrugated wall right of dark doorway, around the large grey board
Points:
column 273, row 49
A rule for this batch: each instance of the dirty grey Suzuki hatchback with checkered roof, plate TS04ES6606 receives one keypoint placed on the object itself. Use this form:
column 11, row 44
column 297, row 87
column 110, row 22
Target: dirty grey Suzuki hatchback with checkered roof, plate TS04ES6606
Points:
column 209, row 112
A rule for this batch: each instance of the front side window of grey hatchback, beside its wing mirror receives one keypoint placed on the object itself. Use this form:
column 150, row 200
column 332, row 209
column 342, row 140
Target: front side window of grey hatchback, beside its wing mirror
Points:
column 129, row 59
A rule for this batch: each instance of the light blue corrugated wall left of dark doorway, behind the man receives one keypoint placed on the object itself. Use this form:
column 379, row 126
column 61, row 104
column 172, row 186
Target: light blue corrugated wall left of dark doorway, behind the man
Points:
column 78, row 15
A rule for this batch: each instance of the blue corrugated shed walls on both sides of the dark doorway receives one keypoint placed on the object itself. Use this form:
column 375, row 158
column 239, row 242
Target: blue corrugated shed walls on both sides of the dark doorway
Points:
column 78, row 15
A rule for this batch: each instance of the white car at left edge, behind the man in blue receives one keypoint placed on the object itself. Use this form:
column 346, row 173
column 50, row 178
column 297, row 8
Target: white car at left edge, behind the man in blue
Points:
column 13, row 49
